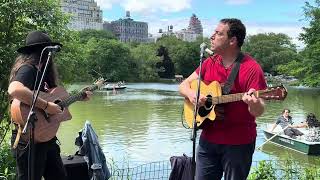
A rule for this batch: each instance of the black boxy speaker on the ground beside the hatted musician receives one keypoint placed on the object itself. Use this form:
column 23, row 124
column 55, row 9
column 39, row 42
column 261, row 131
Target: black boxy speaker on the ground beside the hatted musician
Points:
column 76, row 167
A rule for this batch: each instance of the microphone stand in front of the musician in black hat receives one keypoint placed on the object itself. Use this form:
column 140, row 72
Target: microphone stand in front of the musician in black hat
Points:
column 32, row 118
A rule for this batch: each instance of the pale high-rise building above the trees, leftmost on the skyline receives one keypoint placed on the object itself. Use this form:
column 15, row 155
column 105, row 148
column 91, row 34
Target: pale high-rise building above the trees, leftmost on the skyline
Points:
column 85, row 14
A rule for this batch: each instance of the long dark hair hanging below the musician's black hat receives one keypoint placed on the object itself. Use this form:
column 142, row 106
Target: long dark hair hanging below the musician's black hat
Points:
column 33, row 60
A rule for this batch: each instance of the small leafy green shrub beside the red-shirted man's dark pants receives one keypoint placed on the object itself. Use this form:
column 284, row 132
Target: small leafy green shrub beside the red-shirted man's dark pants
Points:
column 264, row 170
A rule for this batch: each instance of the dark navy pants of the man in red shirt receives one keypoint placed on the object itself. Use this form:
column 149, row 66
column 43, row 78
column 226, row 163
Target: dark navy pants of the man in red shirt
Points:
column 214, row 159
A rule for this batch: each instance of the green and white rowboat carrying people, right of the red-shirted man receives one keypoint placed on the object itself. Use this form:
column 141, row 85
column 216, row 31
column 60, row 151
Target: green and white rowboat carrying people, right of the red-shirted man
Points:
column 301, row 144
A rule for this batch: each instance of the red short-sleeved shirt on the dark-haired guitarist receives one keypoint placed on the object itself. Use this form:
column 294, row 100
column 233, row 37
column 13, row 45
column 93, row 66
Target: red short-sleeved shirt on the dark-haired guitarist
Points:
column 238, row 125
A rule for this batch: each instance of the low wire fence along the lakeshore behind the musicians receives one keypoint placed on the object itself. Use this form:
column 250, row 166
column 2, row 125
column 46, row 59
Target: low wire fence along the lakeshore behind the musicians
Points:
column 283, row 170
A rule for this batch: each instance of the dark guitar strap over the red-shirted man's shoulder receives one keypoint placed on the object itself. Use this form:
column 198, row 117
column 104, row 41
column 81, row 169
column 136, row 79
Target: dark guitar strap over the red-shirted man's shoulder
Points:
column 228, row 84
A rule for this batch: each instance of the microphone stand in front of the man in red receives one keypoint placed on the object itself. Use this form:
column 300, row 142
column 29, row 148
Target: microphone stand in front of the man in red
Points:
column 195, row 112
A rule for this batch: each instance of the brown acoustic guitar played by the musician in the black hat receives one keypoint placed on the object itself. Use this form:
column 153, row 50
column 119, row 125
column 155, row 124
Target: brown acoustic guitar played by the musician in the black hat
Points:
column 47, row 125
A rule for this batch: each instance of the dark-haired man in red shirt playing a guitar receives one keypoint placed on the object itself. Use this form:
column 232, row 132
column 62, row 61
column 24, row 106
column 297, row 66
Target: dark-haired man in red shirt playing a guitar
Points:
column 227, row 145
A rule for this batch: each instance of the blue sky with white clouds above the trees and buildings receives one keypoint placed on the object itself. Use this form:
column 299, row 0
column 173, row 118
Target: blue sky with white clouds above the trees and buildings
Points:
column 259, row 16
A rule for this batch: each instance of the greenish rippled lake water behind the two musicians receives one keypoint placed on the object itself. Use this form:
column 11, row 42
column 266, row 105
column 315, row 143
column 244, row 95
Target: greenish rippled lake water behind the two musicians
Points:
column 143, row 123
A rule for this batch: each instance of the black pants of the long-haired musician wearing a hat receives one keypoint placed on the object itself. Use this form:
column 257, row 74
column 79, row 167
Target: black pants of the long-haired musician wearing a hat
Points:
column 47, row 161
